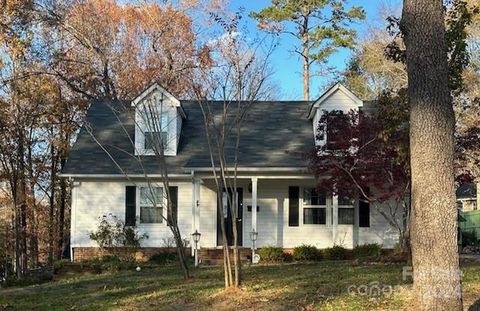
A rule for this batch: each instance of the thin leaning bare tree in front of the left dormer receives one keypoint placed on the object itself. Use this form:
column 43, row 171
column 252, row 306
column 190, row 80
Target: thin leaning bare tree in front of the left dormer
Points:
column 150, row 119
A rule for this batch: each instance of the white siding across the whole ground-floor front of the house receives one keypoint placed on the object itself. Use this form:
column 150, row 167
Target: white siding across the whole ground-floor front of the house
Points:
column 93, row 199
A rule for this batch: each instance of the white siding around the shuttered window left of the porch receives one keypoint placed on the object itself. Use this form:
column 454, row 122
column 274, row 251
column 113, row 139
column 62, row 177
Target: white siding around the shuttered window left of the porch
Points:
column 93, row 199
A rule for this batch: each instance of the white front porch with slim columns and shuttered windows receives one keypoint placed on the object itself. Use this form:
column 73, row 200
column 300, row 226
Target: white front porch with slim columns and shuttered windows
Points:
column 285, row 217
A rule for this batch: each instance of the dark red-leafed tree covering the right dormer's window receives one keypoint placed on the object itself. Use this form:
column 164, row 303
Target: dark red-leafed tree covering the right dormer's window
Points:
column 362, row 154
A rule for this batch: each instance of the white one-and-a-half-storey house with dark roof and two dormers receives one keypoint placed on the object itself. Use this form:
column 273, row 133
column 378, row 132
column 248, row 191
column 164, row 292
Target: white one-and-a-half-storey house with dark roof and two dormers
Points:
column 111, row 159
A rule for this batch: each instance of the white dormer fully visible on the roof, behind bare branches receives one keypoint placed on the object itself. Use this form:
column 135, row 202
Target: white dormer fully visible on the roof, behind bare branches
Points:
column 158, row 122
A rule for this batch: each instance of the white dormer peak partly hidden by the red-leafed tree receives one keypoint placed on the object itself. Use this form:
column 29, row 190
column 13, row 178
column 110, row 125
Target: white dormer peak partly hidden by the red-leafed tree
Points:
column 336, row 98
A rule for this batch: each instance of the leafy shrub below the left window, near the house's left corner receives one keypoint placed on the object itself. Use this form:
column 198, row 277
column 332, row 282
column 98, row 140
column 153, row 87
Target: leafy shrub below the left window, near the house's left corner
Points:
column 114, row 235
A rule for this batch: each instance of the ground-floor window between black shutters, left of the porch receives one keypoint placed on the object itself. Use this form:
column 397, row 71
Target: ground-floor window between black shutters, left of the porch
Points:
column 151, row 205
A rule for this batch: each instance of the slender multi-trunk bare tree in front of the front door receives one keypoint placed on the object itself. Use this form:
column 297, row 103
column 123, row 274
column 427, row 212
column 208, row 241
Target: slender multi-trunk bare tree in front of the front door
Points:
column 225, row 92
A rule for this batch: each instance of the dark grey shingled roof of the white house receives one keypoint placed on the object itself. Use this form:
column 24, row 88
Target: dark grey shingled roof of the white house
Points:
column 275, row 134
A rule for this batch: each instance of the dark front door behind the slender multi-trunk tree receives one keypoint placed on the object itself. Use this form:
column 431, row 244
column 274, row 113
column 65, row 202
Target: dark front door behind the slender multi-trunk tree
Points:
column 229, row 219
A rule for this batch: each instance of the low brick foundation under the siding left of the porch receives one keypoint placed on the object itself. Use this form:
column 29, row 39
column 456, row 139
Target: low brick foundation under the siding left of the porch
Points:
column 143, row 254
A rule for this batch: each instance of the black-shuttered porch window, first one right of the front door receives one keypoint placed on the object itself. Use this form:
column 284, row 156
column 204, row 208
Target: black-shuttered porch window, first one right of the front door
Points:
column 315, row 207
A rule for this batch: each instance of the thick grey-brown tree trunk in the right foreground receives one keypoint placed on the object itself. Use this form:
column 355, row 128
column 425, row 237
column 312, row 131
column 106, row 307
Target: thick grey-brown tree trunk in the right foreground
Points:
column 437, row 284
